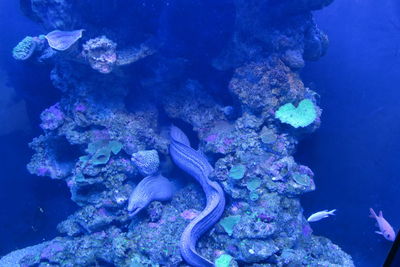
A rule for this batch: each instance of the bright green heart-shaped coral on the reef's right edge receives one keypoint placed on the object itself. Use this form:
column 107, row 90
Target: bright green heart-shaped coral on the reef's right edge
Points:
column 301, row 116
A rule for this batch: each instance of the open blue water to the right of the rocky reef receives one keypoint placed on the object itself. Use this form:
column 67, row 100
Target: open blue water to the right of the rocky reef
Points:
column 355, row 154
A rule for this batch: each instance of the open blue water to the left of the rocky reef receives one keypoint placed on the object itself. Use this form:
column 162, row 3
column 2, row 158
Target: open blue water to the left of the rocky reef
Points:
column 31, row 207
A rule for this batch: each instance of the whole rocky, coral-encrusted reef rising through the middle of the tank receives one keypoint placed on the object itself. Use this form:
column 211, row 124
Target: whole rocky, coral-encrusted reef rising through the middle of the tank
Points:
column 245, row 107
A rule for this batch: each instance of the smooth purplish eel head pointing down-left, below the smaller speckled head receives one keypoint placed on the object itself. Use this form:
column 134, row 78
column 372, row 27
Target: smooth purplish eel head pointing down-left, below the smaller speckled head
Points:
column 151, row 188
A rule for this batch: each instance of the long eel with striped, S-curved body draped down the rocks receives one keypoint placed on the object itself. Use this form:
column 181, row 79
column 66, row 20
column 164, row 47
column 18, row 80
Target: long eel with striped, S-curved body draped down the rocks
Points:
column 196, row 164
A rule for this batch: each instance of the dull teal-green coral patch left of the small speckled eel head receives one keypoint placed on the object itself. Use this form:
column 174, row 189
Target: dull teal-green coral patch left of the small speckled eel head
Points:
column 100, row 151
